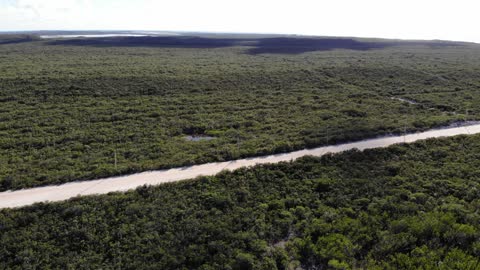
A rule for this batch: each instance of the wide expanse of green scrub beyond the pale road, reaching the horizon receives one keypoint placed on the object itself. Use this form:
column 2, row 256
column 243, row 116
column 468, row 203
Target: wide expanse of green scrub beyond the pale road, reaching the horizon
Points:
column 67, row 107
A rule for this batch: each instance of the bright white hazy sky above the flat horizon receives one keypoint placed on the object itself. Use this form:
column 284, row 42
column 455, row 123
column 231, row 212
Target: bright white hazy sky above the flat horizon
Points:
column 404, row 19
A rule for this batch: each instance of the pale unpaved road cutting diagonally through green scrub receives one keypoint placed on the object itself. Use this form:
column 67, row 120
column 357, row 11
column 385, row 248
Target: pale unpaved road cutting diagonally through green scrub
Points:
column 11, row 199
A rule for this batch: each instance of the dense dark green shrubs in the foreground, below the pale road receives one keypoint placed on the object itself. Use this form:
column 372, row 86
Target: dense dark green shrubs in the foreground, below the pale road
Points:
column 405, row 207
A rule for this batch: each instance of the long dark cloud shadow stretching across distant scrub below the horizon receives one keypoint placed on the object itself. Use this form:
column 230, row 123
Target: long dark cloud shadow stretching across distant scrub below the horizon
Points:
column 280, row 45
